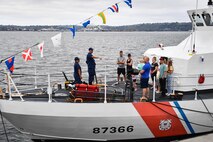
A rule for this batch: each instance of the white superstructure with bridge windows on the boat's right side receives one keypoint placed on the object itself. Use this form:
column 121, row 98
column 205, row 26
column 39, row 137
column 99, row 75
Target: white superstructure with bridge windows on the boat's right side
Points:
column 194, row 55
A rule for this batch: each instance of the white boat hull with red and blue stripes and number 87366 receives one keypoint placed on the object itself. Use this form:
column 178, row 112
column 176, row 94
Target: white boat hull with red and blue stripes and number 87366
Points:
column 113, row 121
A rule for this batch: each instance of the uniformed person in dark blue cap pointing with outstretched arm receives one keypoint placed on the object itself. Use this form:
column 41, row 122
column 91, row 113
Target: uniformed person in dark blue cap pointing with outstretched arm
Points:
column 90, row 60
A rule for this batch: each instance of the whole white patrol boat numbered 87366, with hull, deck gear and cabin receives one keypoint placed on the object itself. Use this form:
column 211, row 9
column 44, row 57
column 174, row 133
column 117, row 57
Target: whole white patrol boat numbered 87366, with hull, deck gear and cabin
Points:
column 99, row 113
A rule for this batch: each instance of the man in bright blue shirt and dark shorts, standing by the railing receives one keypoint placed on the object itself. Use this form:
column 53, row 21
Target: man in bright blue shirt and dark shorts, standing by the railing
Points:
column 145, row 78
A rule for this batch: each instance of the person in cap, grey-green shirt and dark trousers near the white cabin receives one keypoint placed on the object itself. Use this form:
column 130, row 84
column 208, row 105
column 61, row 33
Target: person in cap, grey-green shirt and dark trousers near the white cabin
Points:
column 162, row 76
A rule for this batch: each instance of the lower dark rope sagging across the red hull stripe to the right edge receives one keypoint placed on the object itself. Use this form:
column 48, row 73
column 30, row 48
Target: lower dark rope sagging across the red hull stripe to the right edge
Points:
column 179, row 117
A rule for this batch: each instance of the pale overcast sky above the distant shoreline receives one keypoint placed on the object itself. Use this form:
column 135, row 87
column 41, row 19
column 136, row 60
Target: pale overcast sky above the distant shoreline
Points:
column 68, row 12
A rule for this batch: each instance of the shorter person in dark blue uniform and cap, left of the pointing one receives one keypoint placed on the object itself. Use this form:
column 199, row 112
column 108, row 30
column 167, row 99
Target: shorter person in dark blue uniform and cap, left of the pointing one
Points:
column 77, row 71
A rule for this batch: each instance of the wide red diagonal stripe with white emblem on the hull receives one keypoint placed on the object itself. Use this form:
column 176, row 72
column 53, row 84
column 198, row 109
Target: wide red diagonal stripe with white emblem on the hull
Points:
column 154, row 118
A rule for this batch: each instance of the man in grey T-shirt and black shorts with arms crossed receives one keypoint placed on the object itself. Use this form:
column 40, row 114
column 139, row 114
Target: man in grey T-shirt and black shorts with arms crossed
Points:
column 121, row 66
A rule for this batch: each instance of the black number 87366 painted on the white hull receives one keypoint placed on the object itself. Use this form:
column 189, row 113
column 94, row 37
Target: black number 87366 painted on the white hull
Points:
column 121, row 129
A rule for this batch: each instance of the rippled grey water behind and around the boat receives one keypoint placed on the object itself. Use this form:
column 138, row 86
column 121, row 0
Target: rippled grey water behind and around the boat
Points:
column 106, row 45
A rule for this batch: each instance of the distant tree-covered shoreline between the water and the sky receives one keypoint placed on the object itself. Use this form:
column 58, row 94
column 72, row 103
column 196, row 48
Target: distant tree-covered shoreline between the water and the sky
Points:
column 147, row 27
